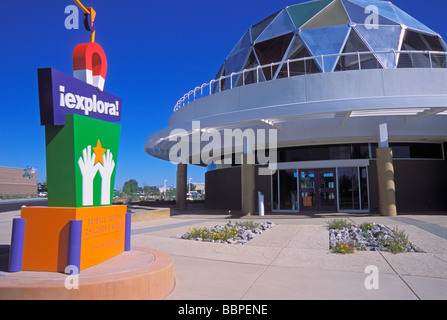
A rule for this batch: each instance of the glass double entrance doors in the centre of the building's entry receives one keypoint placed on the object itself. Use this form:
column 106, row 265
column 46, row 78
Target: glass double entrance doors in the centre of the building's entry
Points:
column 318, row 190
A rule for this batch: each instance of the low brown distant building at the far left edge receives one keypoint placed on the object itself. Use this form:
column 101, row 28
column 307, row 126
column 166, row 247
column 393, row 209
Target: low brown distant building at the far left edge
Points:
column 15, row 181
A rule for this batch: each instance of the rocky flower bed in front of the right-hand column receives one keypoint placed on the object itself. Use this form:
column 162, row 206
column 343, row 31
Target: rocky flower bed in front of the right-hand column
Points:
column 345, row 237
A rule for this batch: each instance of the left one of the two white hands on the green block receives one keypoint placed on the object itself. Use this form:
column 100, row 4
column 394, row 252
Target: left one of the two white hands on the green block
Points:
column 88, row 170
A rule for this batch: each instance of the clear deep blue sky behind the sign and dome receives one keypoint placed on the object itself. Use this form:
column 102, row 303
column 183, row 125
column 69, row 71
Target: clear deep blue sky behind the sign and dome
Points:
column 156, row 52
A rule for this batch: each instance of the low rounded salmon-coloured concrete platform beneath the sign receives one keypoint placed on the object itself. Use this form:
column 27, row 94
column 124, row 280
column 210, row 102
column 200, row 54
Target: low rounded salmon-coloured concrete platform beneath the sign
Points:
column 139, row 274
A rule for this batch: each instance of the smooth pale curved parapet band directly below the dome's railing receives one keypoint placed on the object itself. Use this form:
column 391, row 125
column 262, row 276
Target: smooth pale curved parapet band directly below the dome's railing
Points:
column 318, row 93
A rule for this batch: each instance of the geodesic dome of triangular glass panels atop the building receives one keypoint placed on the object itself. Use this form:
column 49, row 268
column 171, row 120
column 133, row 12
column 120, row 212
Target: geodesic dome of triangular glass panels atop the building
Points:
column 331, row 27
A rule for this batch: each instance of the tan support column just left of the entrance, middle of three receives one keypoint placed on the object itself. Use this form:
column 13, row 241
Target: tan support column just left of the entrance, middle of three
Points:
column 248, row 195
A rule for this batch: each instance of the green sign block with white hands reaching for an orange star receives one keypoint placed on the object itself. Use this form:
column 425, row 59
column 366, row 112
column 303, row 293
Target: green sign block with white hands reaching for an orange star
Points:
column 81, row 162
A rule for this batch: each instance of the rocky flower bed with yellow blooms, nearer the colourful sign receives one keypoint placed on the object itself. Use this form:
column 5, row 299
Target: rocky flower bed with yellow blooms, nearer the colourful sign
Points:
column 231, row 233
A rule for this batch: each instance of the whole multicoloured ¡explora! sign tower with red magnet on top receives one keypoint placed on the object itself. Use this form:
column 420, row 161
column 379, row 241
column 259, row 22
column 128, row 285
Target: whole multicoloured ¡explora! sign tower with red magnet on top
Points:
column 80, row 227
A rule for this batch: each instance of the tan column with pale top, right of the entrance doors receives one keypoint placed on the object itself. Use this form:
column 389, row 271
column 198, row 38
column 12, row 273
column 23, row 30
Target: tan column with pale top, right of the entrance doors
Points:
column 385, row 175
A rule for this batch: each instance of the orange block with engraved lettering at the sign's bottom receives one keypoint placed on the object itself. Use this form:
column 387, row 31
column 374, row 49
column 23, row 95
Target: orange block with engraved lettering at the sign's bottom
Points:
column 47, row 236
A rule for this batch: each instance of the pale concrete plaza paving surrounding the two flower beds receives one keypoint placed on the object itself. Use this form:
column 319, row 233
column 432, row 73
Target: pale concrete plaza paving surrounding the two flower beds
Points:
column 293, row 261
